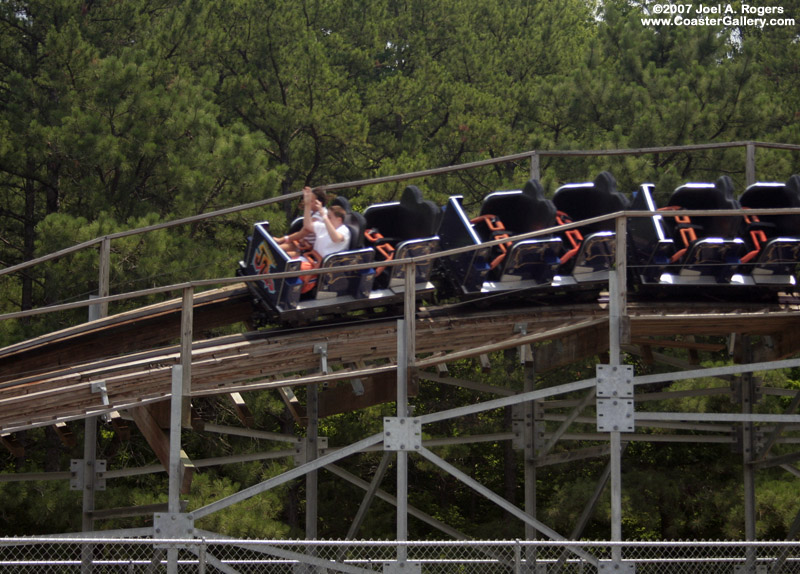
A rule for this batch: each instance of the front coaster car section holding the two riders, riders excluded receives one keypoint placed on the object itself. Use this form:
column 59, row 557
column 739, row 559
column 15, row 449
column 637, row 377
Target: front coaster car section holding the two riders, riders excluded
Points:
column 334, row 290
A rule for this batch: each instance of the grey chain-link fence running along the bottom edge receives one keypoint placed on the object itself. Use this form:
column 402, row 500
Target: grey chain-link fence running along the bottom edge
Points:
column 94, row 555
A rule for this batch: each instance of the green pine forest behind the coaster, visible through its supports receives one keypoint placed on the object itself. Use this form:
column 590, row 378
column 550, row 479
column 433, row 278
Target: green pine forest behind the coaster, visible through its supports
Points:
column 119, row 114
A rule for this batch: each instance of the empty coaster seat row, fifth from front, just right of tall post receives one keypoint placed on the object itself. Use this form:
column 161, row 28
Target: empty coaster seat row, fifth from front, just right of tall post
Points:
column 674, row 249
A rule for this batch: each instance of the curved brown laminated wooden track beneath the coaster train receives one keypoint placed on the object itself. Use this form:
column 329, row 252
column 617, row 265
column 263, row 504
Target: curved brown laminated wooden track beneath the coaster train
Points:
column 57, row 390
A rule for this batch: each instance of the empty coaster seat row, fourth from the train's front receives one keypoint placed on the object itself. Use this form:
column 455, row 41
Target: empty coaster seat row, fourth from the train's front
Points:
column 591, row 248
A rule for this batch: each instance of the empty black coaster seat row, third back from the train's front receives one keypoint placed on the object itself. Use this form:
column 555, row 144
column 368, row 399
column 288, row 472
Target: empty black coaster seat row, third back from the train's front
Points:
column 510, row 265
